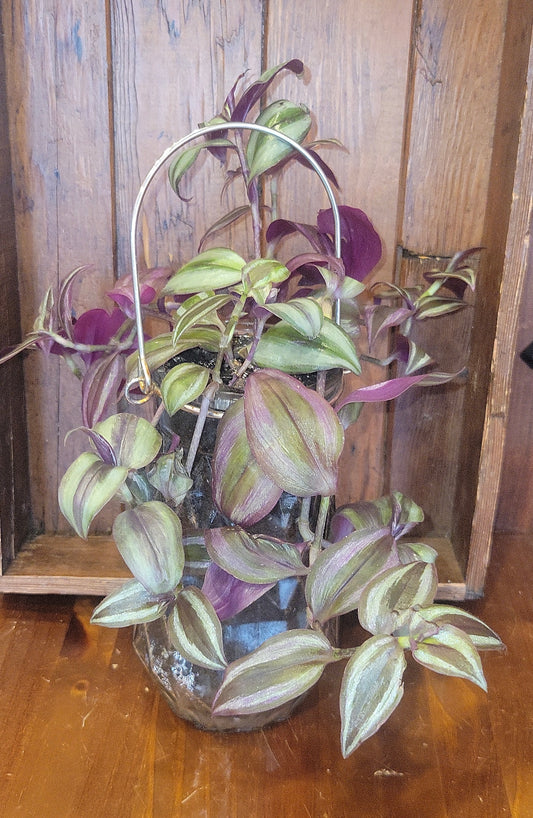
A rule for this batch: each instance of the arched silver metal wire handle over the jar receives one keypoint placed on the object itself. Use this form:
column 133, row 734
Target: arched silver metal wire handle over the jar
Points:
column 144, row 380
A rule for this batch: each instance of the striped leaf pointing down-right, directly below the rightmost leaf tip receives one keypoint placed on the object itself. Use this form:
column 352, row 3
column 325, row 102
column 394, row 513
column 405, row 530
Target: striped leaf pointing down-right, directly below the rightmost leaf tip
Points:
column 452, row 653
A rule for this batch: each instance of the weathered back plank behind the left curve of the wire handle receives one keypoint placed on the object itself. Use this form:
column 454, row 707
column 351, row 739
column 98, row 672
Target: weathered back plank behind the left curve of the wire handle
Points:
column 173, row 65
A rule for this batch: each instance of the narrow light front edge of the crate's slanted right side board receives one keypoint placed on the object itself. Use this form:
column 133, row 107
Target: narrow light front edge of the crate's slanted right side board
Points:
column 511, row 257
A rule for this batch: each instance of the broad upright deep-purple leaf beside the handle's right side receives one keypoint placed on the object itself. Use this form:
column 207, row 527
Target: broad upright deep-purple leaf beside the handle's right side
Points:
column 361, row 245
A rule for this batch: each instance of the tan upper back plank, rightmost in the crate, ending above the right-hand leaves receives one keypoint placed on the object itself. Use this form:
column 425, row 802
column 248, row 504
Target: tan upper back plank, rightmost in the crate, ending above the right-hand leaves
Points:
column 457, row 53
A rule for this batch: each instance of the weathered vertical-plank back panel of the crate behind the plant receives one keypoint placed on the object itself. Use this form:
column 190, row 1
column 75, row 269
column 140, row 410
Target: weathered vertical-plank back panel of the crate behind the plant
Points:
column 97, row 90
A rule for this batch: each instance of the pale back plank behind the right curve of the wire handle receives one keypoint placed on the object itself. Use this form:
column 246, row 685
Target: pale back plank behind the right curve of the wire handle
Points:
column 357, row 60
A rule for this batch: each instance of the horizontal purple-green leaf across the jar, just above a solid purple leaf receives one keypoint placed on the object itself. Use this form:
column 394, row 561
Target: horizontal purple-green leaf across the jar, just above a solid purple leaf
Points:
column 255, row 559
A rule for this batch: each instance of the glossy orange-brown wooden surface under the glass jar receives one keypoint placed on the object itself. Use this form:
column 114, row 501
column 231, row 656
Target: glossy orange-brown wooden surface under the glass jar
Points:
column 83, row 734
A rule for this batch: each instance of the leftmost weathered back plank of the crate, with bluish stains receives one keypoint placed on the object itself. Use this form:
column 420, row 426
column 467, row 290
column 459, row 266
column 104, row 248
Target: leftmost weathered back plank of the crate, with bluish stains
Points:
column 59, row 124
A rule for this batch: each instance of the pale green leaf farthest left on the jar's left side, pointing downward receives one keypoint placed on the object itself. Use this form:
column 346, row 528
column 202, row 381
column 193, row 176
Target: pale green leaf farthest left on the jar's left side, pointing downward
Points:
column 86, row 487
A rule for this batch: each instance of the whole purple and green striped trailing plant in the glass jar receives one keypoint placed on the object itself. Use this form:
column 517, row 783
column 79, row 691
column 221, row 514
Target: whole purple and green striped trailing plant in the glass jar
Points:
column 269, row 330
